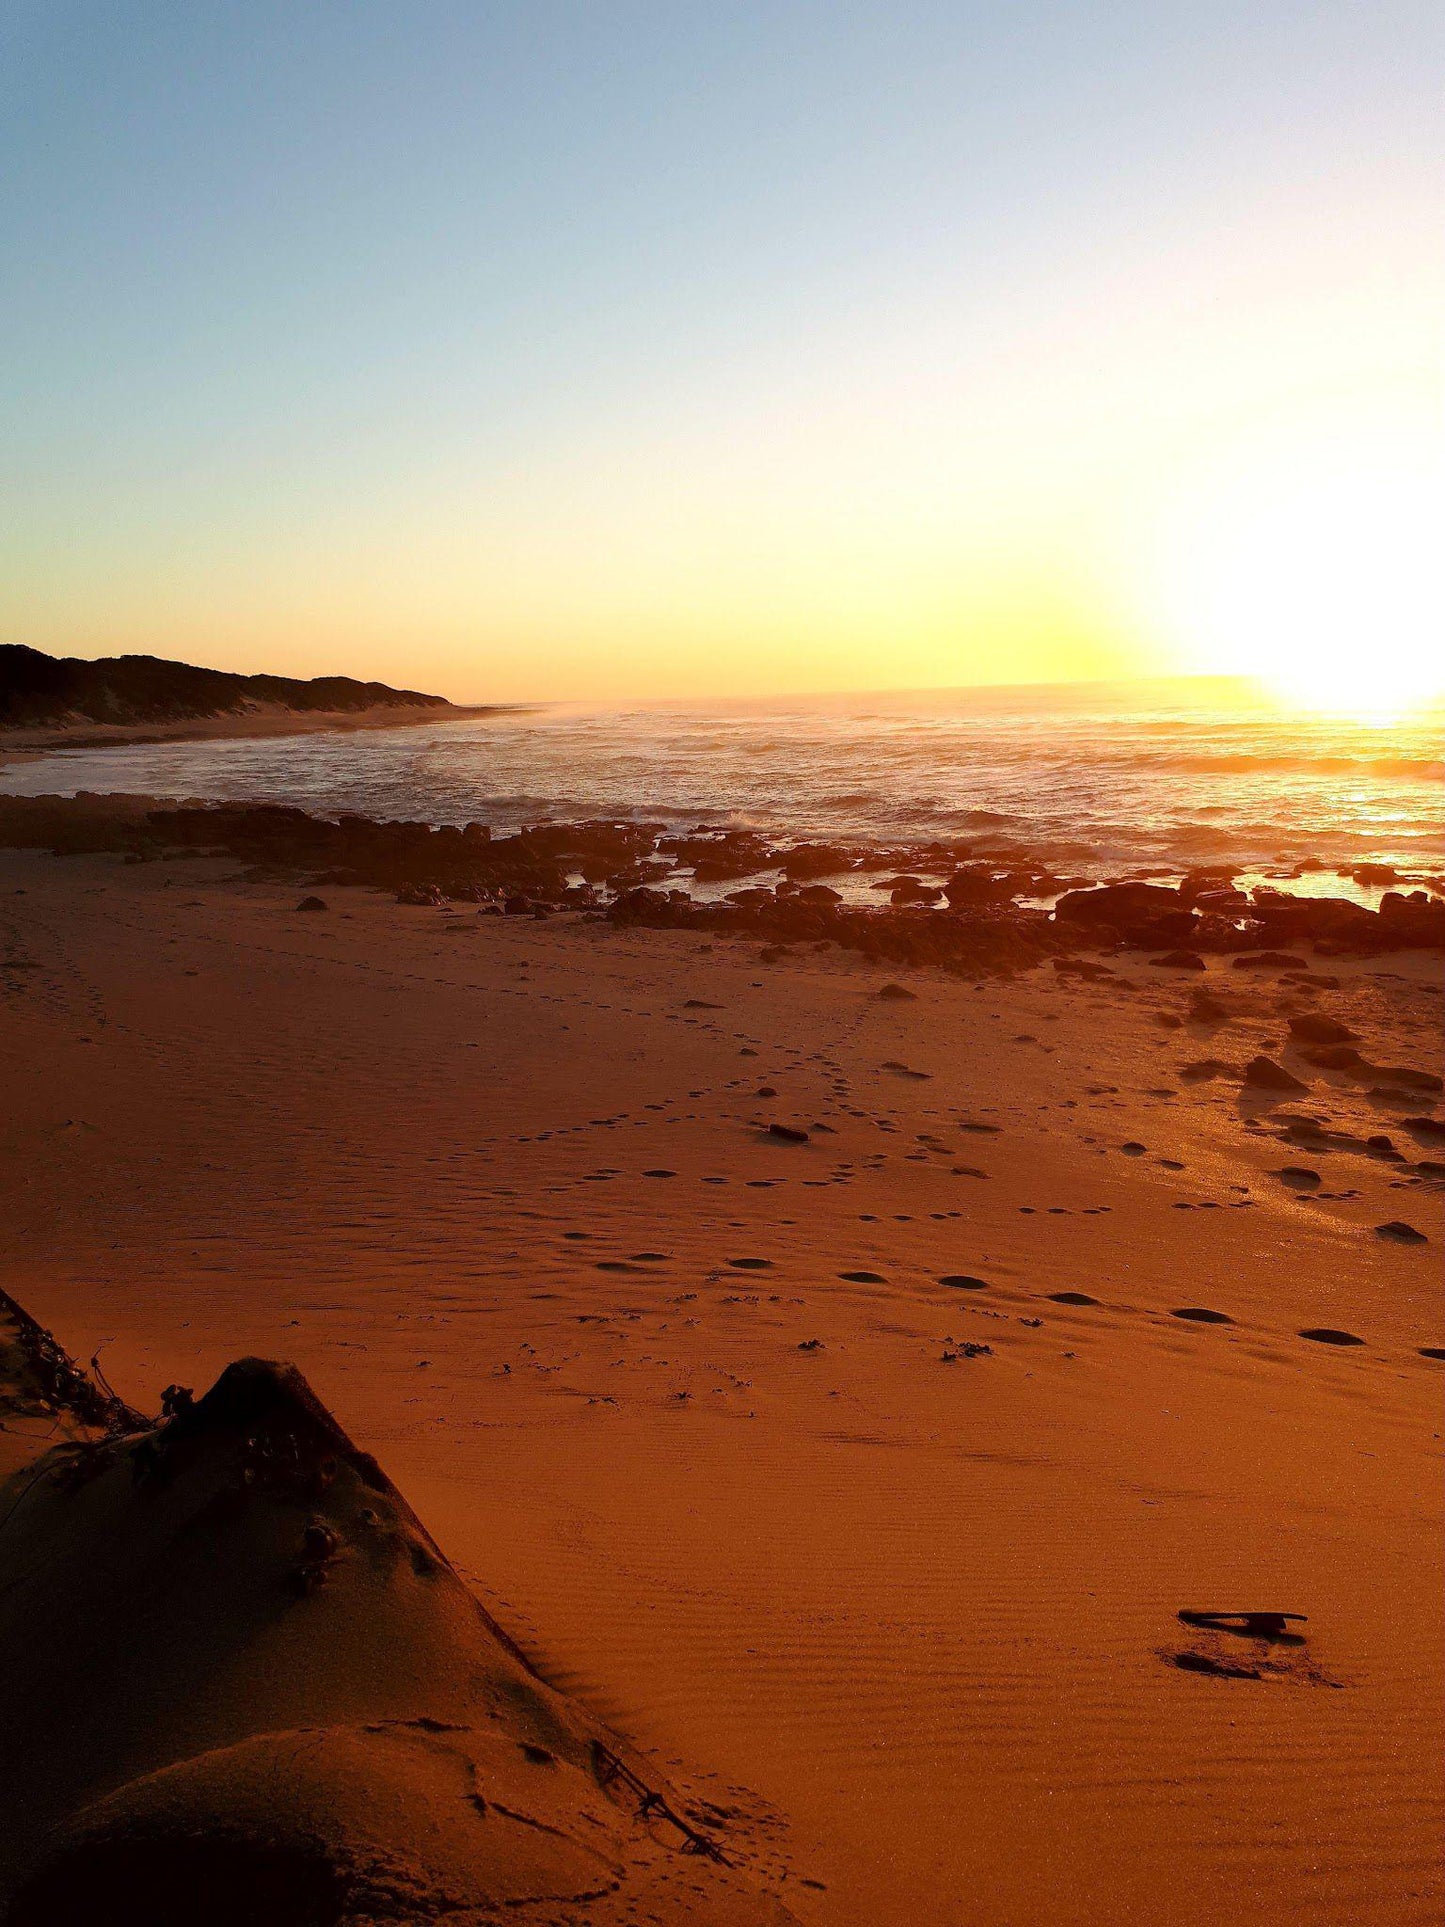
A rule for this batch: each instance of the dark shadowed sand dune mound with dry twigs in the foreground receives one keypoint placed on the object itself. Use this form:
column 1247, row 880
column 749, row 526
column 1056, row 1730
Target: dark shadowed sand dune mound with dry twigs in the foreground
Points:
column 242, row 1683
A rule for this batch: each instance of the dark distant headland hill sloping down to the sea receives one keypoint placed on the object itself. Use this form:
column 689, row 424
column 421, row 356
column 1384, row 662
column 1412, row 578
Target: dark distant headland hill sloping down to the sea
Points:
column 38, row 691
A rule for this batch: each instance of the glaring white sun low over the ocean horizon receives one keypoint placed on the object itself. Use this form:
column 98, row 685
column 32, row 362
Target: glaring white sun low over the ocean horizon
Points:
column 1319, row 575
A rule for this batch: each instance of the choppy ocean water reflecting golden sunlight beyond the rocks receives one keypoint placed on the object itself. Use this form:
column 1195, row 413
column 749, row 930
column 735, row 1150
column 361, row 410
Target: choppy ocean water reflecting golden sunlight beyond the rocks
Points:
column 1090, row 779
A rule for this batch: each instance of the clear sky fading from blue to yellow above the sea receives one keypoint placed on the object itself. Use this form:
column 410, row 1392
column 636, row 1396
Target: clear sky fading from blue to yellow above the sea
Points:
column 718, row 350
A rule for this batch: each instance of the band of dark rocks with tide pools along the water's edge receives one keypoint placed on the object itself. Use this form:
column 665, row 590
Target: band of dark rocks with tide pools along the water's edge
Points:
column 962, row 907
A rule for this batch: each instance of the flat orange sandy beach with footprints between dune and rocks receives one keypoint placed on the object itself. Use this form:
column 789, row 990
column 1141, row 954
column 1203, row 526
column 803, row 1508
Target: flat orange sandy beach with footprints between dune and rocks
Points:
column 856, row 1481
